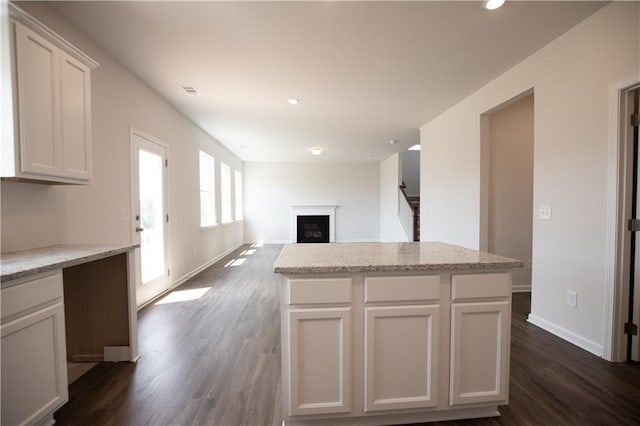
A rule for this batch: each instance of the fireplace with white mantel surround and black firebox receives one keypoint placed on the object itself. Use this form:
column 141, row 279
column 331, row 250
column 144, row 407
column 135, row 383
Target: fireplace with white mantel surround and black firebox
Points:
column 327, row 227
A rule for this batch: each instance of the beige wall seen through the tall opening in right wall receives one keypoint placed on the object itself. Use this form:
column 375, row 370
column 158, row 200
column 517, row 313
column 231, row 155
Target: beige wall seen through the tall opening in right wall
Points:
column 510, row 185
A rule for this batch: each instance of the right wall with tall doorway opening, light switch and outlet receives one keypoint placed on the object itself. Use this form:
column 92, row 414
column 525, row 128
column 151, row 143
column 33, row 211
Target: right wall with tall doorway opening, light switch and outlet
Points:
column 571, row 78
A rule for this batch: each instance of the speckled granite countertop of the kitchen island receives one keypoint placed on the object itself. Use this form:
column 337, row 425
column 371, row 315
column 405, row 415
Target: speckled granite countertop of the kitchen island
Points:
column 386, row 257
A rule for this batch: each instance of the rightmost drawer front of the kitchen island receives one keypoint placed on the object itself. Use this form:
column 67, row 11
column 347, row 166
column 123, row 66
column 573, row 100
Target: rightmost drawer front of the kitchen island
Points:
column 480, row 286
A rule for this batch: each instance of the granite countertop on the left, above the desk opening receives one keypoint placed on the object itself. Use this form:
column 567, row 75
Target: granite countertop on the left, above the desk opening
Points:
column 23, row 263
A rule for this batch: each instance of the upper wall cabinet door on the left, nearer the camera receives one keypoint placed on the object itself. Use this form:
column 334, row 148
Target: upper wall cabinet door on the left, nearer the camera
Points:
column 39, row 111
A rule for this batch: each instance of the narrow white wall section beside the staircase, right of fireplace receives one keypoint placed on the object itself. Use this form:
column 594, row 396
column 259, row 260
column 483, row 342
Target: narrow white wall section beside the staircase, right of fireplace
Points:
column 391, row 228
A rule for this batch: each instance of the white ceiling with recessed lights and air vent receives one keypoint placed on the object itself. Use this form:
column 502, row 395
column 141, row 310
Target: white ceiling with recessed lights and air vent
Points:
column 365, row 72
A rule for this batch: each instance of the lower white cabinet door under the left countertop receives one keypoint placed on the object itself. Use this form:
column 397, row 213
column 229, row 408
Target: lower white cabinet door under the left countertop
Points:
column 34, row 370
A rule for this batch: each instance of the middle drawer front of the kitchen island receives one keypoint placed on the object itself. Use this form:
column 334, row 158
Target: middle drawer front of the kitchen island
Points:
column 401, row 289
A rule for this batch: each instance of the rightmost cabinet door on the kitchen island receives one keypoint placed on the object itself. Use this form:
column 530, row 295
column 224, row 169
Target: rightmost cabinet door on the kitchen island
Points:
column 479, row 352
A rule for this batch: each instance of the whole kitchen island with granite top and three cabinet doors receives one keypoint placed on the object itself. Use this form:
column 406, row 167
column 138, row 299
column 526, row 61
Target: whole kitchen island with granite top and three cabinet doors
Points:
column 393, row 333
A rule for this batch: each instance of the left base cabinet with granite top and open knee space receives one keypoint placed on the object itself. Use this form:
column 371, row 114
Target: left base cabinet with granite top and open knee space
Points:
column 62, row 303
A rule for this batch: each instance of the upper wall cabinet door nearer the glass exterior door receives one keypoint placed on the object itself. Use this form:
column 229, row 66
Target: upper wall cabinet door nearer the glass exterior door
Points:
column 76, row 118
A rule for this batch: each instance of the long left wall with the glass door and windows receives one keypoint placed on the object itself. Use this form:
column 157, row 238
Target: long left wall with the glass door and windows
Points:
column 37, row 215
